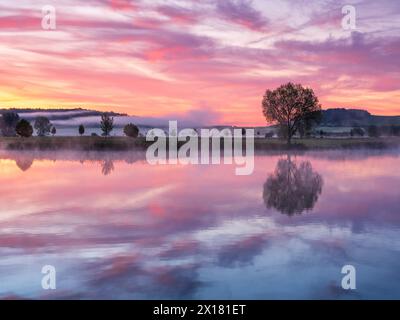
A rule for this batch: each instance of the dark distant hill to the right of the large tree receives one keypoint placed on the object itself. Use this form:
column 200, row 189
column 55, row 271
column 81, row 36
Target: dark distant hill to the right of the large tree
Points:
column 341, row 117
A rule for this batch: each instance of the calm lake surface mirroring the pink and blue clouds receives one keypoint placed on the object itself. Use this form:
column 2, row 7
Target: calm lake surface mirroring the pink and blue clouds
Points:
column 115, row 227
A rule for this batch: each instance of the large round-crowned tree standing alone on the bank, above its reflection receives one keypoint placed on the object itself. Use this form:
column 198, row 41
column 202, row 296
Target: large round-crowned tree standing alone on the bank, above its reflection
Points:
column 289, row 106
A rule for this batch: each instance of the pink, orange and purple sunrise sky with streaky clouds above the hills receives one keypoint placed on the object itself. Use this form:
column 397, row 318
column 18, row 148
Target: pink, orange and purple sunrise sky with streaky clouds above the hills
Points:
column 211, row 59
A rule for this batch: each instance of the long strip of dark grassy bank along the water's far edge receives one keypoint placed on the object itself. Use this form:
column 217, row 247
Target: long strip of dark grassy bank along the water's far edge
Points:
column 123, row 143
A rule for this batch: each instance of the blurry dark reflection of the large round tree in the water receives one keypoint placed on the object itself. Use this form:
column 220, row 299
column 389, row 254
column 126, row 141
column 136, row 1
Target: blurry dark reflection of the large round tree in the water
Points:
column 292, row 188
